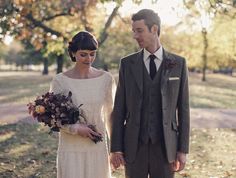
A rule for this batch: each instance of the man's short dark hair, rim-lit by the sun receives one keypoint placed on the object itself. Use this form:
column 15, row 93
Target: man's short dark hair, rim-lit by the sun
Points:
column 150, row 18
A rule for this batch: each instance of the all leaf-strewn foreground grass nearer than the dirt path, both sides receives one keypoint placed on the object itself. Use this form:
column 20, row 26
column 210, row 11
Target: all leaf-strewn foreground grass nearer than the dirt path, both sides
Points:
column 27, row 148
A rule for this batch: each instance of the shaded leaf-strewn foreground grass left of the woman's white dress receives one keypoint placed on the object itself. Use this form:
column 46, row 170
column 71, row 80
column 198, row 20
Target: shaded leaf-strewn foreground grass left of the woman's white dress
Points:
column 27, row 151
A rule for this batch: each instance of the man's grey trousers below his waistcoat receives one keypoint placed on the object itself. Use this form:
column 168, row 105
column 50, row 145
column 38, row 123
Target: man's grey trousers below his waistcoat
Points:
column 150, row 161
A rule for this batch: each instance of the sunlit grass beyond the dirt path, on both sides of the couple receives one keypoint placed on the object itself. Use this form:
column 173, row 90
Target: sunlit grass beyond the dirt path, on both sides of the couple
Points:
column 219, row 91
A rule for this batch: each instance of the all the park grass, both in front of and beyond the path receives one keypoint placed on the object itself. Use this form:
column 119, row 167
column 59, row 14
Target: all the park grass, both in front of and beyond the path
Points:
column 27, row 151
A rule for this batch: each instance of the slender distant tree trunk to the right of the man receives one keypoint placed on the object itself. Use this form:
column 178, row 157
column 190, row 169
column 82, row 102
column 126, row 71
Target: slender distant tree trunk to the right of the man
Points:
column 204, row 55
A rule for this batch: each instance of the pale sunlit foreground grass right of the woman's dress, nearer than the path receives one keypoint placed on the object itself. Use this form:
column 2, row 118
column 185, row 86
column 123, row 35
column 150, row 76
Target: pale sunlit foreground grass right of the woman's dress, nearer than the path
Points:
column 212, row 155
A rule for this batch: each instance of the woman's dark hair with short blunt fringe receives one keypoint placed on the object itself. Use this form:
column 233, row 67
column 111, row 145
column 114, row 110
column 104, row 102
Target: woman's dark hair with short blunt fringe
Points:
column 82, row 41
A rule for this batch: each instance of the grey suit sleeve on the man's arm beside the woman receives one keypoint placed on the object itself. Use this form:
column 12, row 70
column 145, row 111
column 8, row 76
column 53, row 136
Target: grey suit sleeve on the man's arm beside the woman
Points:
column 118, row 113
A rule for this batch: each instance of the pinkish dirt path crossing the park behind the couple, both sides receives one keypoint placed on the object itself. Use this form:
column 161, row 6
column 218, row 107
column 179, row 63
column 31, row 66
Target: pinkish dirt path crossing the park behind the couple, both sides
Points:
column 200, row 118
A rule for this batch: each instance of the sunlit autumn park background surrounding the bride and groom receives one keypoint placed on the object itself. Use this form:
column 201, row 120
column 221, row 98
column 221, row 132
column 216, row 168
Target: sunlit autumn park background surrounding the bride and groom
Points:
column 34, row 36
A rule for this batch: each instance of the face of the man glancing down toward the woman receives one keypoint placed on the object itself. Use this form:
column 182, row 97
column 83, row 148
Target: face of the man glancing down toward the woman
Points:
column 141, row 34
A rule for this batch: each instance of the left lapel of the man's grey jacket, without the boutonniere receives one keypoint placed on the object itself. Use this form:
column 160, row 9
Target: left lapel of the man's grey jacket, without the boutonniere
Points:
column 137, row 69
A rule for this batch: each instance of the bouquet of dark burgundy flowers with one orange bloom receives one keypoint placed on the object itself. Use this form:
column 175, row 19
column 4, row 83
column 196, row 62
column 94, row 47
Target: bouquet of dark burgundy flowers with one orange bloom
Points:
column 55, row 110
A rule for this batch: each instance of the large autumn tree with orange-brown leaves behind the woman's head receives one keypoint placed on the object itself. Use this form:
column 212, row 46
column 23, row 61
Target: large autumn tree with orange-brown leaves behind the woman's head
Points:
column 43, row 22
